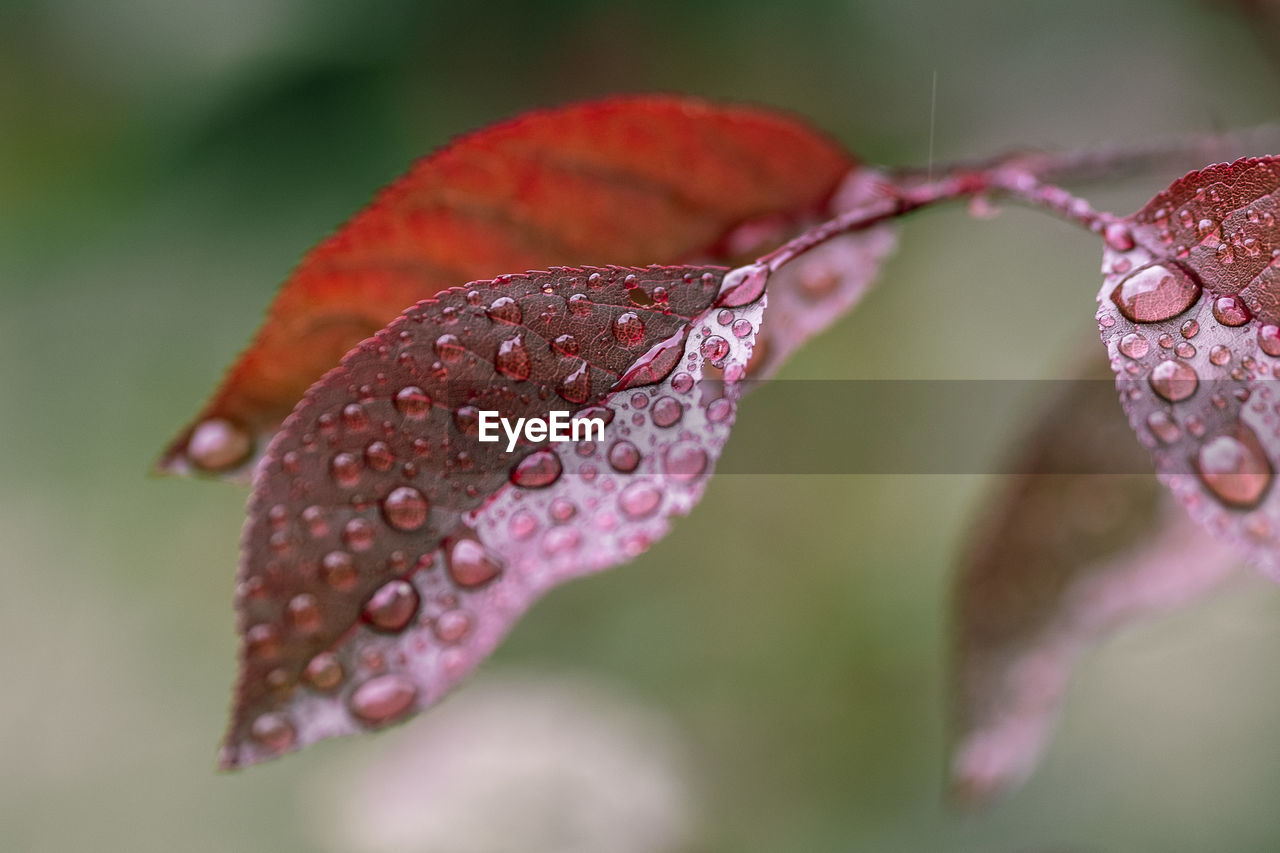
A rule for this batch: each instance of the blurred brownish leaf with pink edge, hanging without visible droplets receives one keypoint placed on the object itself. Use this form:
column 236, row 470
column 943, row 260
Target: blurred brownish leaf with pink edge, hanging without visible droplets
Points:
column 1069, row 550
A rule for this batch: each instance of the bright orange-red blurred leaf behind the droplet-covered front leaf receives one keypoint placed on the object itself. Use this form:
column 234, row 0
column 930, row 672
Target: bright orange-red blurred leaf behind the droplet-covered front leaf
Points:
column 625, row 181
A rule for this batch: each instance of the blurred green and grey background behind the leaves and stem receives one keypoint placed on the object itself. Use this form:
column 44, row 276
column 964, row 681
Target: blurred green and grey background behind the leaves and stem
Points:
column 770, row 677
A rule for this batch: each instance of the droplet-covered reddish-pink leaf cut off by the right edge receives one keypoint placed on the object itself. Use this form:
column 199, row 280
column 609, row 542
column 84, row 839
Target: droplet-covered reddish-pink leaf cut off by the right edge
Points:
column 1190, row 313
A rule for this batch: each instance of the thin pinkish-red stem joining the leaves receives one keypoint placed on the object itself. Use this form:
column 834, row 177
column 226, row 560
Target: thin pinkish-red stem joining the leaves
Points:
column 1030, row 179
